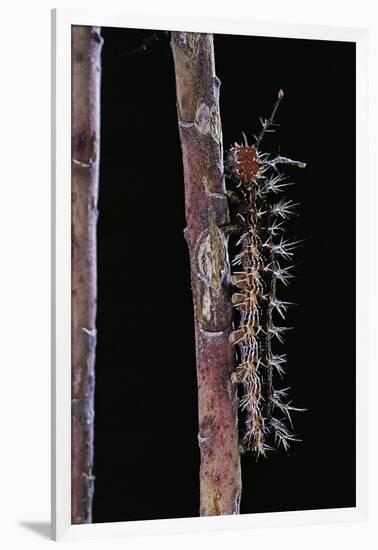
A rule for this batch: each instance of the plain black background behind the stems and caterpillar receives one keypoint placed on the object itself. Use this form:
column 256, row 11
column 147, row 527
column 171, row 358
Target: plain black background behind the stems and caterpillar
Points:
column 146, row 453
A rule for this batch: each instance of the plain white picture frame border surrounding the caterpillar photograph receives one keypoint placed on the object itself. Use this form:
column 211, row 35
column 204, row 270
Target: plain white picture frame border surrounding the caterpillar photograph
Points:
column 61, row 272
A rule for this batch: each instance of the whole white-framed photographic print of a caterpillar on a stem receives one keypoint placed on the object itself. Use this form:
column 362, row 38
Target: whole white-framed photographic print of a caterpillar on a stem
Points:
column 209, row 274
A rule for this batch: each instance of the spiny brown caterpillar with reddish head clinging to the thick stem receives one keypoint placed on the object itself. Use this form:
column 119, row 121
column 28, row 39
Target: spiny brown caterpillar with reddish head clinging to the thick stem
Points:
column 258, row 220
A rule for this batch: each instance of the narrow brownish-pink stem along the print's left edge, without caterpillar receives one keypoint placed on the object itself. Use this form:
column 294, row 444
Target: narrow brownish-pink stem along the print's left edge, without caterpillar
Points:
column 86, row 74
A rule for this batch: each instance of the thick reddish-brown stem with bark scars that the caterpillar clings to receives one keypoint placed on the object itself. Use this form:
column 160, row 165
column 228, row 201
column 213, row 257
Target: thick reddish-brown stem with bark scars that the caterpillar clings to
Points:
column 206, row 212
